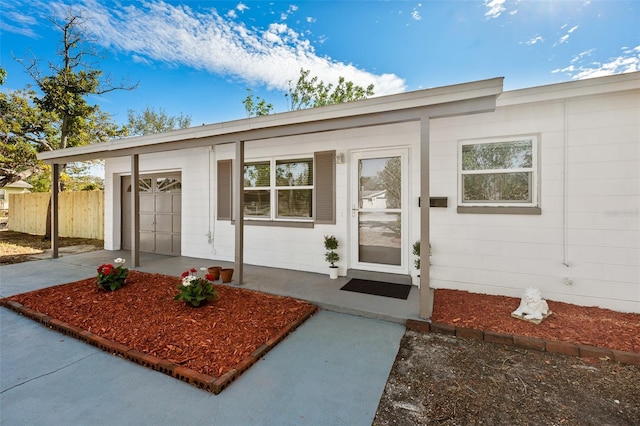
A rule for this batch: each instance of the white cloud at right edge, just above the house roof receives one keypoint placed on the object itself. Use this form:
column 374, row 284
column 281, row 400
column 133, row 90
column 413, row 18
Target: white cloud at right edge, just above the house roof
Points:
column 629, row 61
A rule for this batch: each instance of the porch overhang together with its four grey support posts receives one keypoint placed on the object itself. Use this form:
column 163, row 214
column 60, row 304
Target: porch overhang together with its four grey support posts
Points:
column 419, row 106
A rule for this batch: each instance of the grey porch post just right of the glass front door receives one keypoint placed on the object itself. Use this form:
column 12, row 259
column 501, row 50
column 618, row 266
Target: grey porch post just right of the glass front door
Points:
column 426, row 292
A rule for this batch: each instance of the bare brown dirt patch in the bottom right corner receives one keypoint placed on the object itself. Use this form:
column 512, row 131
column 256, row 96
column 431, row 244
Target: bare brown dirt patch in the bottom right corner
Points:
column 442, row 380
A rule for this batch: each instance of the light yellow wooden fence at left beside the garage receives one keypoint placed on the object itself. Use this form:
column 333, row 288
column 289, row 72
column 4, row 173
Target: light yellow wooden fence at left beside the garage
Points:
column 81, row 213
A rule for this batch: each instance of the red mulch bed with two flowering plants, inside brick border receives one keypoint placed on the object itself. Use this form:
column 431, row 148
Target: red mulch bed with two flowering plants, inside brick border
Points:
column 142, row 315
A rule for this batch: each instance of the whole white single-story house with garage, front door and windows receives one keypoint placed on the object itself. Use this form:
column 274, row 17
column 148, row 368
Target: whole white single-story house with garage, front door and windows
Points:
column 537, row 187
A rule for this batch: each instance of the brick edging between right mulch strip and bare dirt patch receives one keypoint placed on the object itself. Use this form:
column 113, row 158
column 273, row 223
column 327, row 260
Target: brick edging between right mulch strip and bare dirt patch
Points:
column 534, row 343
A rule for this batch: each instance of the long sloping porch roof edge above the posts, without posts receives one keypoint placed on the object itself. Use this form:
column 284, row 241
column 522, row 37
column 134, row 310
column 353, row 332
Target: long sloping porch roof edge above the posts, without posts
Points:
column 410, row 106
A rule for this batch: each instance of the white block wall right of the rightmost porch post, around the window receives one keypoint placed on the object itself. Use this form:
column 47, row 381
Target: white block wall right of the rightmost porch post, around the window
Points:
column 598, row 236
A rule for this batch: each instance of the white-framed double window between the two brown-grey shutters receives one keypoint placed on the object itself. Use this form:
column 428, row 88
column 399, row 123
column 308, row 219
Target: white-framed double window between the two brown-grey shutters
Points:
column 279, row 189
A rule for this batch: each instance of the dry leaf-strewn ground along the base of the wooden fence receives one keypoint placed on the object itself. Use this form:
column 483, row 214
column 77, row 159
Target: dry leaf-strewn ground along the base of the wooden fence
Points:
column 18, row 247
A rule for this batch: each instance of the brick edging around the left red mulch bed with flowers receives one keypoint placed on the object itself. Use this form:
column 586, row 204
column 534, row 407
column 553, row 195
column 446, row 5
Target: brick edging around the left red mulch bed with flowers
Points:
column 200, row 380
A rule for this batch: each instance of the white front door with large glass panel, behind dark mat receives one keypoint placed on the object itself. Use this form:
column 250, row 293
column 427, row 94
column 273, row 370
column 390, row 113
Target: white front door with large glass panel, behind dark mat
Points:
column 379, row 206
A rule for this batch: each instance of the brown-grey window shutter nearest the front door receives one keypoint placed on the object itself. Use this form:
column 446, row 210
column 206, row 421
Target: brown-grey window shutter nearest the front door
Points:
column 324, row 187
